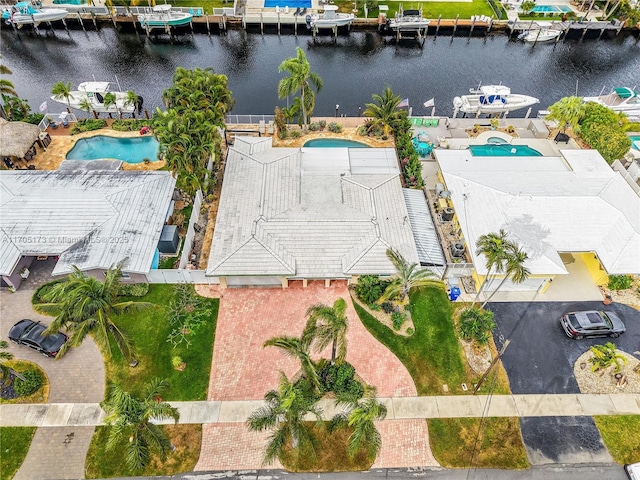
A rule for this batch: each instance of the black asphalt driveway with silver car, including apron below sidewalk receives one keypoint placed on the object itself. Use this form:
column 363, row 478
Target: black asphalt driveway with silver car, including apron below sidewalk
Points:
column 540, row 359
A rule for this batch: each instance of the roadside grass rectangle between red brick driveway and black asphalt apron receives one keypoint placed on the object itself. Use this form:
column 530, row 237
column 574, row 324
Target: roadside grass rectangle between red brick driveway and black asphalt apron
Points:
column 453, row 441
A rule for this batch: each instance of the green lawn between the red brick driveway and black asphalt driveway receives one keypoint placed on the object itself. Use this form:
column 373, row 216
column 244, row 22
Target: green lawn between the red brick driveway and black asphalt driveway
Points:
column 432, row 354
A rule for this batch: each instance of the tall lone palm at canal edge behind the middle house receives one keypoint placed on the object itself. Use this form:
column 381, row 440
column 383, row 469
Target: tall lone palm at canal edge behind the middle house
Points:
column 301, row 79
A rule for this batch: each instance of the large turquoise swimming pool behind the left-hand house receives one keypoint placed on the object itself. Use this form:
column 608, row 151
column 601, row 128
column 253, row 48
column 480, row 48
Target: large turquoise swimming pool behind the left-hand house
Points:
column 130, row 149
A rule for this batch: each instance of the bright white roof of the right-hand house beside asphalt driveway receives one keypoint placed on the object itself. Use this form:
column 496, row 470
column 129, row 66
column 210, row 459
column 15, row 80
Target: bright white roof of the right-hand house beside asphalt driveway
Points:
column 572, row 203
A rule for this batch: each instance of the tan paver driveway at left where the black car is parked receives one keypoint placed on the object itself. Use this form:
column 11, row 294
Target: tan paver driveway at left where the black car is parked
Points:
column 78, row 377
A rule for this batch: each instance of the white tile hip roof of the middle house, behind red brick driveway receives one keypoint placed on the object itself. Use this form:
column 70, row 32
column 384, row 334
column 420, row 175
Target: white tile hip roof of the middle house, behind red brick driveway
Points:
column 304, row 213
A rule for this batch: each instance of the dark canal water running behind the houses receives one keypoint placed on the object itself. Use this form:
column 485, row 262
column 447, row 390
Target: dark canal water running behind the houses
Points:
column 353, row 68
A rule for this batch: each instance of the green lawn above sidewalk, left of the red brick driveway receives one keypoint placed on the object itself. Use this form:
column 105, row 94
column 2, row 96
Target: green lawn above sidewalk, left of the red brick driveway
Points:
column 148, row 330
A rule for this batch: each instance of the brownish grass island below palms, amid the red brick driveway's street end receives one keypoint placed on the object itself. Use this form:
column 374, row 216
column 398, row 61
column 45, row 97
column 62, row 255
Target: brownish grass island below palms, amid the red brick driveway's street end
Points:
column 331, row 454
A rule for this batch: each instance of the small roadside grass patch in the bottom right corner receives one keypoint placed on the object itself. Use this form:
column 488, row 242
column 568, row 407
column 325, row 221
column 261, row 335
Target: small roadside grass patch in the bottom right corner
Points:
column 621, row 435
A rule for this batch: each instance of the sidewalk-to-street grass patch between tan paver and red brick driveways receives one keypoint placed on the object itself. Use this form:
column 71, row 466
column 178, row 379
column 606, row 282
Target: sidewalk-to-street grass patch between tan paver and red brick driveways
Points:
column 186, row 438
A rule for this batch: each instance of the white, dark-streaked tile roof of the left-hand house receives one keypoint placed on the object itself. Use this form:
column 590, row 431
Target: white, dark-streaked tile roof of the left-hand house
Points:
column 91, row 219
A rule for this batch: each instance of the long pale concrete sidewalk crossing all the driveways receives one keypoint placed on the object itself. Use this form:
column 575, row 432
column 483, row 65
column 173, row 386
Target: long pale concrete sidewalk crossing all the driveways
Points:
column 569, row 405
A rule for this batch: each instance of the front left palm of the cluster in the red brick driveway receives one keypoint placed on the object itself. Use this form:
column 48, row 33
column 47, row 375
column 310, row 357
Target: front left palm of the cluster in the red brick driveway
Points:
column 284, row 412
